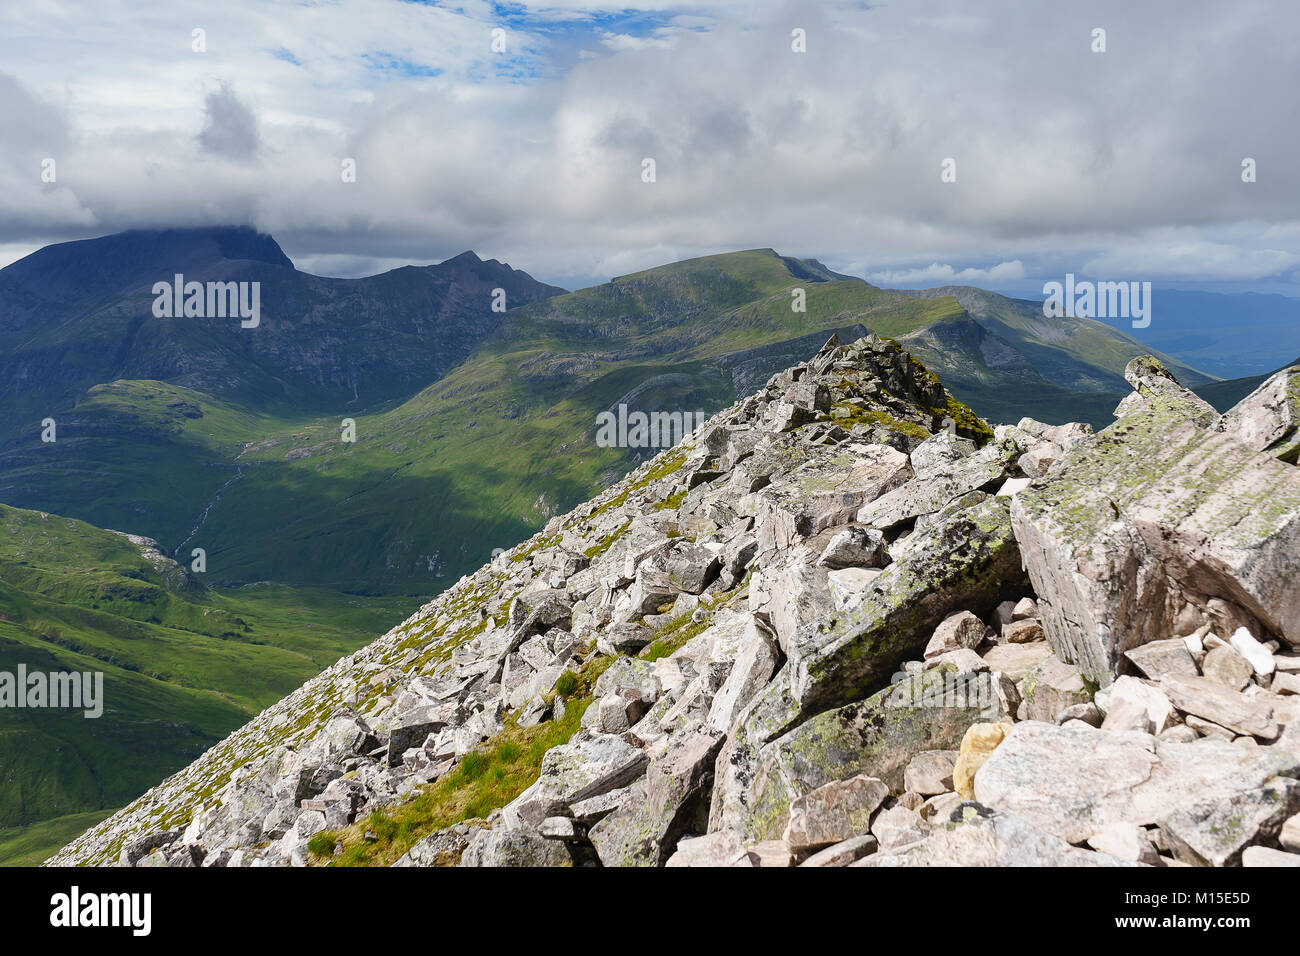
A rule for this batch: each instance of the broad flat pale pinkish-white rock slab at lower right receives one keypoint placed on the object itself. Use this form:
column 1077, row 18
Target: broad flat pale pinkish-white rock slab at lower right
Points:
column 1074, row 781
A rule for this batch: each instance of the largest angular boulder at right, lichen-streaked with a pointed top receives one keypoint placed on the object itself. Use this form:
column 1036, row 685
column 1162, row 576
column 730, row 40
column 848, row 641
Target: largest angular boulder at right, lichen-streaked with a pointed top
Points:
column 1119, row 553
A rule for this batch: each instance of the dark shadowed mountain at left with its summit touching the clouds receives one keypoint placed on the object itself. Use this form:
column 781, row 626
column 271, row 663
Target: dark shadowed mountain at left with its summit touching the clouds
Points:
column 81, row 314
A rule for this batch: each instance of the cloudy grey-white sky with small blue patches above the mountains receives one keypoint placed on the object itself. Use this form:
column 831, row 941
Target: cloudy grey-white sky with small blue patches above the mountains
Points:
column 521, row 131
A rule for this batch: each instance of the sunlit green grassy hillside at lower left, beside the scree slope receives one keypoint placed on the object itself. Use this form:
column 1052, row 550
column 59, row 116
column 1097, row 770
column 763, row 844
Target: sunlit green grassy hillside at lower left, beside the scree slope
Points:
column 183, row 667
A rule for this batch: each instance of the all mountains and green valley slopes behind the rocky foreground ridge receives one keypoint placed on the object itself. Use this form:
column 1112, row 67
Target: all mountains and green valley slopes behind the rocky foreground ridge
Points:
column 474, row 427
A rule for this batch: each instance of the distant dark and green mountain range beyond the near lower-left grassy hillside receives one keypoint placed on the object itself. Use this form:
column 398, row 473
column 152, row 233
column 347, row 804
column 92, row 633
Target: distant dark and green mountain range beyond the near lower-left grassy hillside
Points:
column 492, row 416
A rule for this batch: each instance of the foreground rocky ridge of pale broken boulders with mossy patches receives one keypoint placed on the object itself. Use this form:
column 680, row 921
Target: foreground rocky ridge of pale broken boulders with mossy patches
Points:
column 844, row 622
